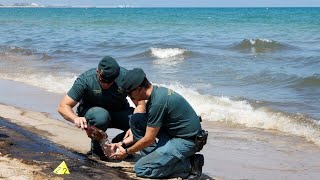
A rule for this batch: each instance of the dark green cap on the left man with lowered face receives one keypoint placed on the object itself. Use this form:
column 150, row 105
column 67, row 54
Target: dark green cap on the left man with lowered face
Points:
column 108, row 69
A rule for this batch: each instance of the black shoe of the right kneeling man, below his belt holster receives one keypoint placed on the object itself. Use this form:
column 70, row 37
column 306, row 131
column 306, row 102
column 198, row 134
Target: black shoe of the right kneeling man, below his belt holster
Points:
column 197, row 161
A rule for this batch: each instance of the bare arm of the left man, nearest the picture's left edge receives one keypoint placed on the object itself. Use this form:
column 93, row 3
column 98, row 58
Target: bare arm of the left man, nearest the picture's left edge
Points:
column 66, row 111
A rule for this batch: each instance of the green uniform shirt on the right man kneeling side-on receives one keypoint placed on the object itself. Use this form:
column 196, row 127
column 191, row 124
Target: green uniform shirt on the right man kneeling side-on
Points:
column 170, row 111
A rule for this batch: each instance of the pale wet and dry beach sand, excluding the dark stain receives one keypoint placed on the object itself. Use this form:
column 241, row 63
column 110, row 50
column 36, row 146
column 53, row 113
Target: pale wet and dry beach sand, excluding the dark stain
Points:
column 232, row 152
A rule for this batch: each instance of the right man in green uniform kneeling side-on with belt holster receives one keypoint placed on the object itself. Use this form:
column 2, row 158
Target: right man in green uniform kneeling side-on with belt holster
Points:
column 171, row 119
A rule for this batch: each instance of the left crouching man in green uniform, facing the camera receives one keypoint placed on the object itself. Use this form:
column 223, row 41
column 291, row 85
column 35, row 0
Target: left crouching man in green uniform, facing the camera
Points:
column 101, row 102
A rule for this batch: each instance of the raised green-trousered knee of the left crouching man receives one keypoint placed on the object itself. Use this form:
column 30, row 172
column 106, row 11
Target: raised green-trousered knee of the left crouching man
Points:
column 98, row 117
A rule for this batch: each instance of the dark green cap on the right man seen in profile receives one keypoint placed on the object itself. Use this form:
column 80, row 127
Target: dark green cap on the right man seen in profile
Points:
column 133, row 79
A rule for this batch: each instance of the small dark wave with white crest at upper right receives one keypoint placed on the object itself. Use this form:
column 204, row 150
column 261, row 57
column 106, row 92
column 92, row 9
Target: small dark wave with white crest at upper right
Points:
column 259, row 45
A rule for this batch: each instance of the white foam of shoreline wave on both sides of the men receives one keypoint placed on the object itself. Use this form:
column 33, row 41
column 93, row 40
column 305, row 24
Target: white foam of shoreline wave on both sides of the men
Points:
column 211, row 108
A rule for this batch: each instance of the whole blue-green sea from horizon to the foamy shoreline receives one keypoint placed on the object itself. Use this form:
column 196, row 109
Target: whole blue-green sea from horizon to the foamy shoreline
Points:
column 257, row 67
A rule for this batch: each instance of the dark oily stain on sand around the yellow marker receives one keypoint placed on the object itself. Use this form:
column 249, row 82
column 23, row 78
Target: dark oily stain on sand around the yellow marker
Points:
column 32, row 149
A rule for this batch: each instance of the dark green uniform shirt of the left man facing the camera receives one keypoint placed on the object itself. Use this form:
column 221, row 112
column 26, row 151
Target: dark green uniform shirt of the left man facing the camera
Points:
column 86, row 90
